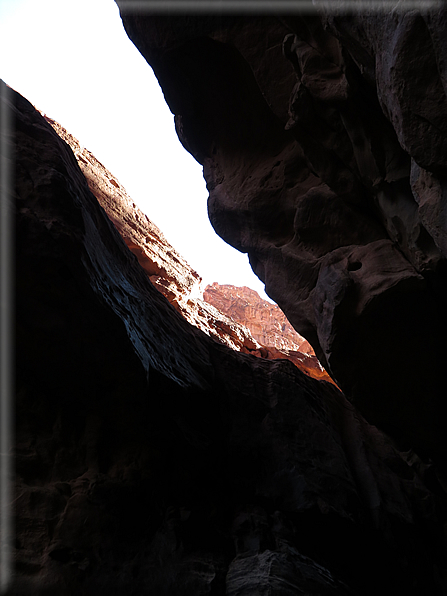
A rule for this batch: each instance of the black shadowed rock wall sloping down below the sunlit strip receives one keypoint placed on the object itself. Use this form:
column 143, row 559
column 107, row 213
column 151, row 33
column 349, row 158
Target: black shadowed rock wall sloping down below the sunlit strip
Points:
column 151, row 459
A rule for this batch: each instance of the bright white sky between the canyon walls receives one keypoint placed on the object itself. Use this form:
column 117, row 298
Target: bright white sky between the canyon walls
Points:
column 73, row 60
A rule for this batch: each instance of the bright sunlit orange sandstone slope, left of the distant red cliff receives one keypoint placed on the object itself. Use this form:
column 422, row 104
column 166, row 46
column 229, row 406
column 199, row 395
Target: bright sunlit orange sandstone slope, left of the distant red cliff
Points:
column 166, row 268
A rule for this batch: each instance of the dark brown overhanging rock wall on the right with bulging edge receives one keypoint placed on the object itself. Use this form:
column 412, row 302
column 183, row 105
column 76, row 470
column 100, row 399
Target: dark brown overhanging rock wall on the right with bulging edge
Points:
column 323, row 143
